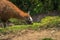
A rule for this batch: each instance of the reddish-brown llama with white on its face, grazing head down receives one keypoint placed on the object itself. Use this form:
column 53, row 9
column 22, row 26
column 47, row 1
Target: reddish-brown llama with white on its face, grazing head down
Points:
column 9, row 10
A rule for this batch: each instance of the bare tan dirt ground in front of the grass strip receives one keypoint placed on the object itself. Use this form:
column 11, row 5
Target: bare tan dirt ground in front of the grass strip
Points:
column 32, row 35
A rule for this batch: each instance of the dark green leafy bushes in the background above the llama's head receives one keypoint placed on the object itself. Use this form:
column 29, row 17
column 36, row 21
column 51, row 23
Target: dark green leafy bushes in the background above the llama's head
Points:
column 37, row 6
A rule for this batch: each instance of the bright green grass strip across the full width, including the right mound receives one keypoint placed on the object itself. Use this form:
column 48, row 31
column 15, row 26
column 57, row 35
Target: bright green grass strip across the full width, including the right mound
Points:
column 49, row 21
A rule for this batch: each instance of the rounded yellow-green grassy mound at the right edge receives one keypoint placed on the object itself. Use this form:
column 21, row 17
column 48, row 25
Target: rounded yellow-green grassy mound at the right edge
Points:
column 51, row 21
